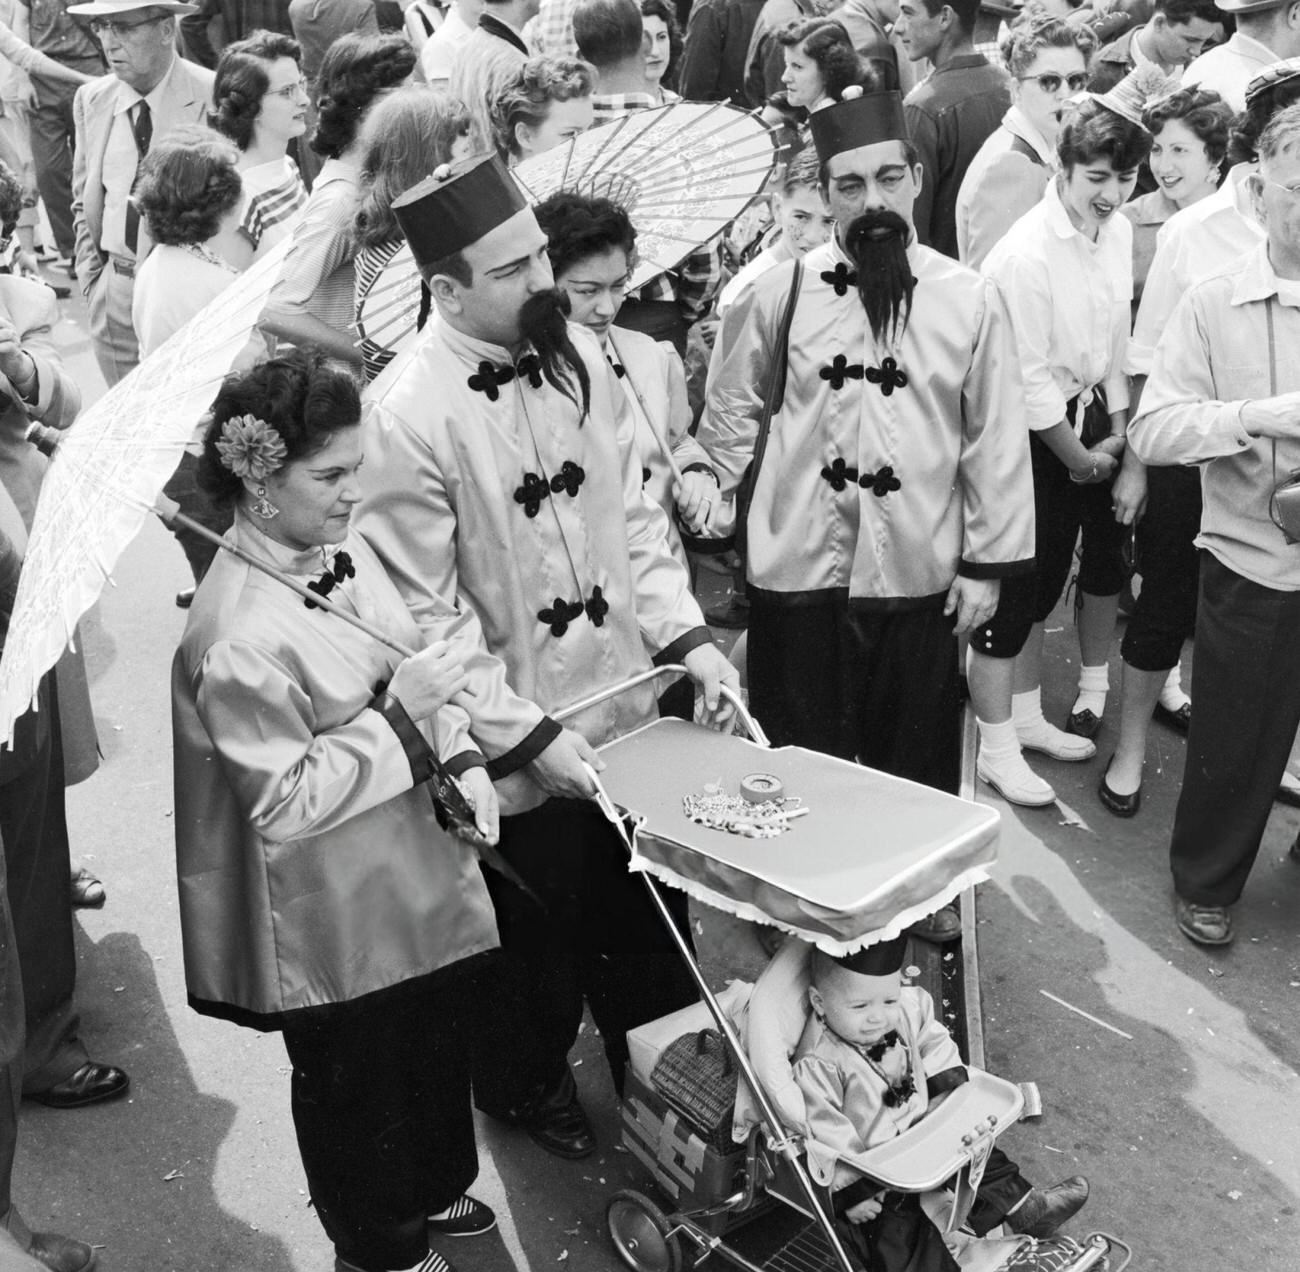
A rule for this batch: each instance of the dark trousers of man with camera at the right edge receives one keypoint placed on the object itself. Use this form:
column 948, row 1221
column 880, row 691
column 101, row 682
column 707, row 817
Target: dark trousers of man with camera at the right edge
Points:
column 1247, row 711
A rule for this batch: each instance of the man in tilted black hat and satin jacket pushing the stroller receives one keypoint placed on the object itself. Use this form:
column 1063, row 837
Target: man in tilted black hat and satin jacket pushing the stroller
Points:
column 501, row 475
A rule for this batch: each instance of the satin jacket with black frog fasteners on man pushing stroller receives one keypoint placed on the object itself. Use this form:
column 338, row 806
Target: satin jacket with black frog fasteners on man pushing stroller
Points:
column 510, row 505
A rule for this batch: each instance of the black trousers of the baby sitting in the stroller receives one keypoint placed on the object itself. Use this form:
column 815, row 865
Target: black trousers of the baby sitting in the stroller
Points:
column 903, row 1238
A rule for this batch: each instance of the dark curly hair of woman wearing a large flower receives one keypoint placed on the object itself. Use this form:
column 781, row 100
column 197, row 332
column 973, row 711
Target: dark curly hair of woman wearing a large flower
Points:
column 300, row 396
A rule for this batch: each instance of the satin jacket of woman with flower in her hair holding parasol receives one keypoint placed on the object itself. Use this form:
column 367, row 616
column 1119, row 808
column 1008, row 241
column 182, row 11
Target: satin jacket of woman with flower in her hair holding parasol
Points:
column 311, row 869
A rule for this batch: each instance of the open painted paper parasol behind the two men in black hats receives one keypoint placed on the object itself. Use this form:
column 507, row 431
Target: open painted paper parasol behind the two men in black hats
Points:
column 683, row 172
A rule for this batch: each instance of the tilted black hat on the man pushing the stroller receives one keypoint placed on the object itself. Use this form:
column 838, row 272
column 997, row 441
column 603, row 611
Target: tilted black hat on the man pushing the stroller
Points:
column 457, row 206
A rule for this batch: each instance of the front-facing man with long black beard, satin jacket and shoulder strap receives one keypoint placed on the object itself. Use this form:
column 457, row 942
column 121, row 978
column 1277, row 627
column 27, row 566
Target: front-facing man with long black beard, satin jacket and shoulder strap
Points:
column 891, row 494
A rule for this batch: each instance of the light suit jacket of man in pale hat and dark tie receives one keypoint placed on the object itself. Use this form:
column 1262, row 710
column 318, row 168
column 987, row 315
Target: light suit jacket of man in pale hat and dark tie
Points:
column 187, row 101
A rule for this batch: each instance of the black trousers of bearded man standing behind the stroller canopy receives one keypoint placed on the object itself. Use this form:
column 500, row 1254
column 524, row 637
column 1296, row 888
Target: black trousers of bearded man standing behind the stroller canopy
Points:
column 861, row 685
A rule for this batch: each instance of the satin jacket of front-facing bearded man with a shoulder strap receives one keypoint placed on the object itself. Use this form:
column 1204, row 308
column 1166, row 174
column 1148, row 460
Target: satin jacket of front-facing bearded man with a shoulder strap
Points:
column 878, row 497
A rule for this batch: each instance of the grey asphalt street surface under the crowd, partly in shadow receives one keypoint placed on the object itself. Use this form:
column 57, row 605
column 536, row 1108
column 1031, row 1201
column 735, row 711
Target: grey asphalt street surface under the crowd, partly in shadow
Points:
column 1168, row 1074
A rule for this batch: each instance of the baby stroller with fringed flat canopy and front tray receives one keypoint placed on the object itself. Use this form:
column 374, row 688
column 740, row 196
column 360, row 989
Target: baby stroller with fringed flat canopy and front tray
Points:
column 872, row 856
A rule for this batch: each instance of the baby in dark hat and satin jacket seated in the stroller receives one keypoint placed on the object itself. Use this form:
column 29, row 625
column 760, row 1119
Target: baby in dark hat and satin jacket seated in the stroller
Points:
column 873, row 1062
